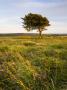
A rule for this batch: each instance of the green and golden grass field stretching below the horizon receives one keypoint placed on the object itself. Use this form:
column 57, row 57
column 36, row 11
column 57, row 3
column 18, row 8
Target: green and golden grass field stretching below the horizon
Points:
column 30, row 63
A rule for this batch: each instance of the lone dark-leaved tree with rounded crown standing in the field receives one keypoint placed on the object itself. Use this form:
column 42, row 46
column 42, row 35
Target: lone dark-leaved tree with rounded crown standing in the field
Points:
column 35, row 21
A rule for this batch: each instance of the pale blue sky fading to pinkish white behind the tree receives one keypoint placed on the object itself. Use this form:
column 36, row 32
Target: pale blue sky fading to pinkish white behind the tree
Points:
column 11, row 12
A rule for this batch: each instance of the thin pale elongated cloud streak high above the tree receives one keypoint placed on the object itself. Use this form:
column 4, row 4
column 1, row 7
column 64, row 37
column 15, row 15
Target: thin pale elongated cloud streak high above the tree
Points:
column 35, row 4
